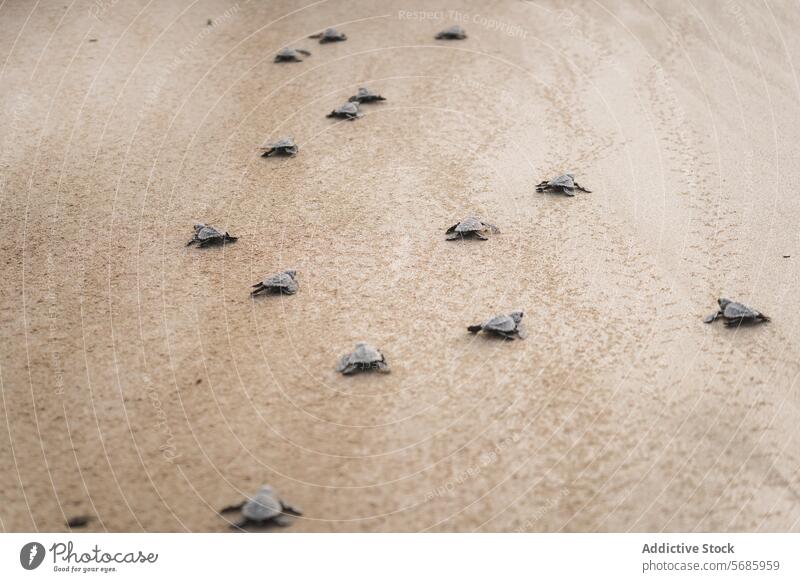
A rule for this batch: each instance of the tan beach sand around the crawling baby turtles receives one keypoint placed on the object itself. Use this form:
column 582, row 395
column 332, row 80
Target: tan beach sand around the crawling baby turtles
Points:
column 141, row 385
